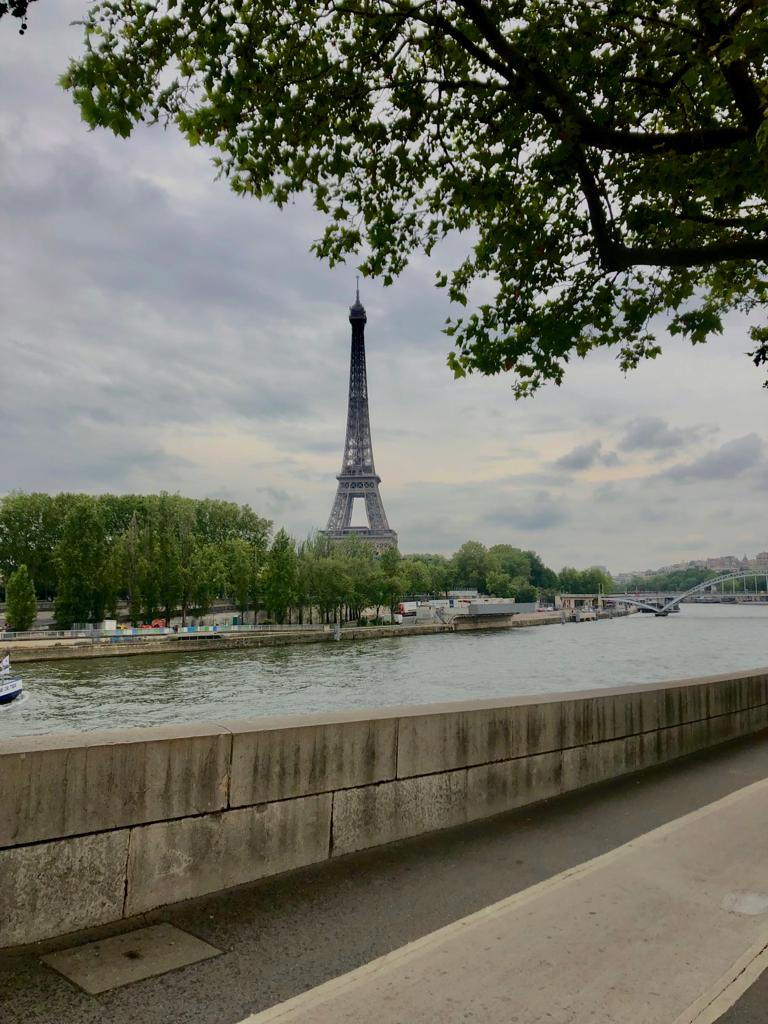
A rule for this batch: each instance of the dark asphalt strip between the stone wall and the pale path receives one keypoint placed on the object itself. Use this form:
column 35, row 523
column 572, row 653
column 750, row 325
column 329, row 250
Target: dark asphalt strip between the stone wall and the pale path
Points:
column 284, row 936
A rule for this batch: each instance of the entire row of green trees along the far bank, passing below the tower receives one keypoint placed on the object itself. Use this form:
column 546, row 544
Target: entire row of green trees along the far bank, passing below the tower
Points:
column 164, row 556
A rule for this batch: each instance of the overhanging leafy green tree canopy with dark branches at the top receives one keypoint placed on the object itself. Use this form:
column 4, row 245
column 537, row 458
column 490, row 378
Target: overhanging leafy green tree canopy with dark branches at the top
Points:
column 605, row 161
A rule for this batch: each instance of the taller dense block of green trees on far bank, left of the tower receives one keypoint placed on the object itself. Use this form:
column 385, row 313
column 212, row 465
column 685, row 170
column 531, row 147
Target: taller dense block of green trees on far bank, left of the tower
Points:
column 159, row 553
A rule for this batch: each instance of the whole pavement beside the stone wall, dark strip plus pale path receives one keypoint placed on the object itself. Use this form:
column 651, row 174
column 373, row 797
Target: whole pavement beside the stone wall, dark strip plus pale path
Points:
column 289, row 935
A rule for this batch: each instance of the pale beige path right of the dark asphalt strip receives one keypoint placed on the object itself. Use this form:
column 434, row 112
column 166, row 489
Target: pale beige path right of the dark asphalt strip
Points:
column 656, row 931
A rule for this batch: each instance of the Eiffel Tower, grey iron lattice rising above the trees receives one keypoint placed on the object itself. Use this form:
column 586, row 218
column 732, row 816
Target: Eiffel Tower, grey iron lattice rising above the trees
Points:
column 358, row 479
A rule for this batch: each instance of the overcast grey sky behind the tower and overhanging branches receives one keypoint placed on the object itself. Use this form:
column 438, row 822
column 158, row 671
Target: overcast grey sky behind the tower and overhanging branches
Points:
column 158, row 332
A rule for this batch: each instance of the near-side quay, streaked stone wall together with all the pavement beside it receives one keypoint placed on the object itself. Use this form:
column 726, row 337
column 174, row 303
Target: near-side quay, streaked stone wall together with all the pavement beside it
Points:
column 594, row 857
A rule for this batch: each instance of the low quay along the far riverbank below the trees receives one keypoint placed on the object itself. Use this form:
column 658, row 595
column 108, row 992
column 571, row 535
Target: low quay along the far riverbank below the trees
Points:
column 113, row 645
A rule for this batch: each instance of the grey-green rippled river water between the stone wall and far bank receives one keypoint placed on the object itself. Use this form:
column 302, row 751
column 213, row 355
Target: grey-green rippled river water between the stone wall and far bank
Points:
column 155, row 690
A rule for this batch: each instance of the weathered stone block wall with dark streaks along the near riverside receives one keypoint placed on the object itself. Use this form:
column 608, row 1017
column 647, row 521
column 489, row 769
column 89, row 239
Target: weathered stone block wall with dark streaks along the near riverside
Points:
column 99, row 827
